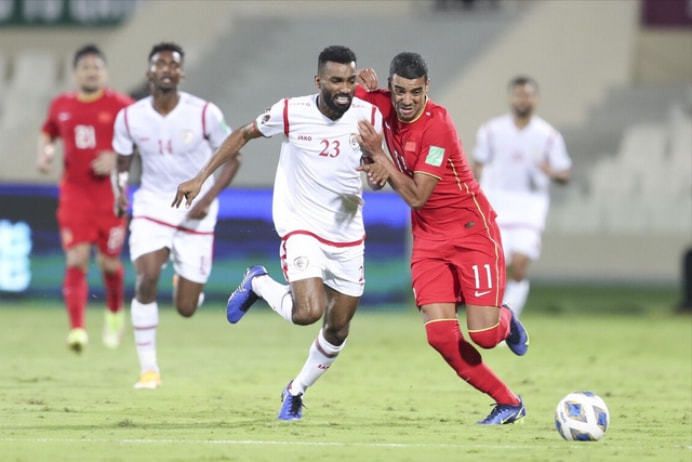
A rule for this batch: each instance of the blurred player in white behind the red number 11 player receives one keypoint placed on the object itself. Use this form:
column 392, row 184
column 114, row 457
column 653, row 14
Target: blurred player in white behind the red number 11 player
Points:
column 516, row 156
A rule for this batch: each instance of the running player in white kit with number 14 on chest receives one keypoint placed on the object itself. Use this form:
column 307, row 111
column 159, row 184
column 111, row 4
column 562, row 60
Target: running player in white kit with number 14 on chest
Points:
column 175, row 134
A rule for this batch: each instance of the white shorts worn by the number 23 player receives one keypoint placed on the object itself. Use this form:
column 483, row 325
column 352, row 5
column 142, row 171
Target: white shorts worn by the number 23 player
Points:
column 341, row 268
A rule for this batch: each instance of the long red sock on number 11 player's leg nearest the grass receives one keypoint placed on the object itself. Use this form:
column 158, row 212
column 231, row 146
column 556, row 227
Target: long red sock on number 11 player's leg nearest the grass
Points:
column 444, row 336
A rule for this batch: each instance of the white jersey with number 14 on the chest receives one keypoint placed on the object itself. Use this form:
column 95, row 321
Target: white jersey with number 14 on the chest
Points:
column 173, row 147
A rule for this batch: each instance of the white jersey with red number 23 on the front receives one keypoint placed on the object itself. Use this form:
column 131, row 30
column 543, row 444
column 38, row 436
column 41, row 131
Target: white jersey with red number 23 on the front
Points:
column 318, row 189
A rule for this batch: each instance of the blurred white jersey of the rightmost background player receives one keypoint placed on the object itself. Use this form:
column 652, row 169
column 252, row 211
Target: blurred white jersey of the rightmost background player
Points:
column 512, row 179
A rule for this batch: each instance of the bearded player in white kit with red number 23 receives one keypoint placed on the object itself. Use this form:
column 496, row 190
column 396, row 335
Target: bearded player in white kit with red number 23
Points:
column 317, row 212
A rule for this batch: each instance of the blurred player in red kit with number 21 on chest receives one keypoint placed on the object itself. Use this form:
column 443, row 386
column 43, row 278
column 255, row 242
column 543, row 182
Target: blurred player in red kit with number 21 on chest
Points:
column 83, row 119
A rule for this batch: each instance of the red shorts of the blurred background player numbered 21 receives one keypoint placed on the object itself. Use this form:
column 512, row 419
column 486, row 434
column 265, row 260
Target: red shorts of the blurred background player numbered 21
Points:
column 97, row 227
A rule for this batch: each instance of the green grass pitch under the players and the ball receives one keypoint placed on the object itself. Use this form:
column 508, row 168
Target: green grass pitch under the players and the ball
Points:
column 389, row 397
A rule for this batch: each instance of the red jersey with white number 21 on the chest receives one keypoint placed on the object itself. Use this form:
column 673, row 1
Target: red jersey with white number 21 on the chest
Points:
column 86, row 129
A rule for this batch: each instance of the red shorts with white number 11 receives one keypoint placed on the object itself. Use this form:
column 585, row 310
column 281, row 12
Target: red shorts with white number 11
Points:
column 467, row 269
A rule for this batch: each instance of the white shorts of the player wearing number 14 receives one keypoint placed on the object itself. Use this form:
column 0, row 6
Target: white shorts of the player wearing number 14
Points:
column 191, row 251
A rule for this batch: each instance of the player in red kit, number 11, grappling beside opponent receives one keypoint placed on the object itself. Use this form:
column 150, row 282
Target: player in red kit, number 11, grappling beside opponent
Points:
column 457, row 254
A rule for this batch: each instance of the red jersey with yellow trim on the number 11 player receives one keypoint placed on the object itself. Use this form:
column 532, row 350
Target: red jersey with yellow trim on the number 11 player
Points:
column 430, row 145
